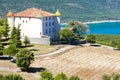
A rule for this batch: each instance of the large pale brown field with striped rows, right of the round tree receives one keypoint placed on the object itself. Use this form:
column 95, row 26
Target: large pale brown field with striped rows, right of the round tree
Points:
column 89, row 63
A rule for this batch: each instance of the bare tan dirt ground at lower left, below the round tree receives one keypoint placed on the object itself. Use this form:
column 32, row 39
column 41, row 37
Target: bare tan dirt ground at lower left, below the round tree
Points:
column 6, row 67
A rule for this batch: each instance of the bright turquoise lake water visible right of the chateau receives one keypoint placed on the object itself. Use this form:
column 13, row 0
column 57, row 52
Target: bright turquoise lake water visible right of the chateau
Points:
column 102, row 28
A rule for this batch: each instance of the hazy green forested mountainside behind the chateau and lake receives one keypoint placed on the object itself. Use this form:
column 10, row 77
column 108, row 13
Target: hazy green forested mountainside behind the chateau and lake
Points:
column 83, row 10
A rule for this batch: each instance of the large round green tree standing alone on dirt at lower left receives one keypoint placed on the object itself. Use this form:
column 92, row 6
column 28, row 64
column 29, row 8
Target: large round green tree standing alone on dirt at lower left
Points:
column 24, row 58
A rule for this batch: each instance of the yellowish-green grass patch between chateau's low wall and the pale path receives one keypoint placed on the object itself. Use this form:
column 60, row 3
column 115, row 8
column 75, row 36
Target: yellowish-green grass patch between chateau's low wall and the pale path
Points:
column 43, row 49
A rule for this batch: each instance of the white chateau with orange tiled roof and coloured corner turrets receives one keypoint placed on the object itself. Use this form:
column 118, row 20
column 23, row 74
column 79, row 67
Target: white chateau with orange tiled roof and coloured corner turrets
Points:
column 36, row 23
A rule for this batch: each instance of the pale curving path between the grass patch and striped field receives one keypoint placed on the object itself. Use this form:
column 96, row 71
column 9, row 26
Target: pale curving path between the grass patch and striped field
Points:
column 55, row 52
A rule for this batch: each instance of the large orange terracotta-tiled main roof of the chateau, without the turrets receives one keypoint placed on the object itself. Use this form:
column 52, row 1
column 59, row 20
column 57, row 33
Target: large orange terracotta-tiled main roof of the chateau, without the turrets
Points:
column 33, row 12
